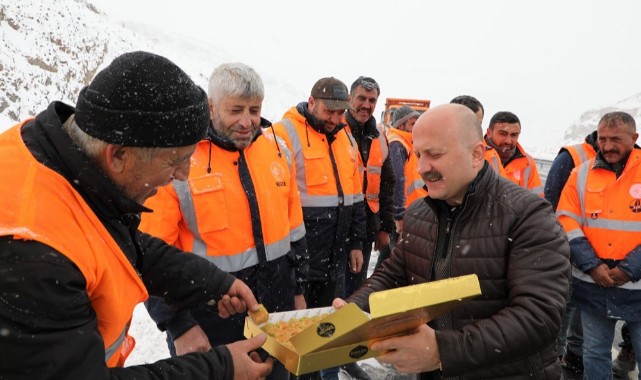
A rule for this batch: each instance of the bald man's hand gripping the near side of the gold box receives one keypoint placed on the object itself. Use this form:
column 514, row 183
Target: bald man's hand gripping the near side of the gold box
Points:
column 413, row 353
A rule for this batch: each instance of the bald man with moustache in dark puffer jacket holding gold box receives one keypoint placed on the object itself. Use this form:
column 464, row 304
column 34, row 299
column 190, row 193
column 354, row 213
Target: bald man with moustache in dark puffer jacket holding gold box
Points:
column 474, row 221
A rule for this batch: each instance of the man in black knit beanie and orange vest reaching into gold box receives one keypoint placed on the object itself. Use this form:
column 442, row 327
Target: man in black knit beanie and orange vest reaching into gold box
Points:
column 73, row 264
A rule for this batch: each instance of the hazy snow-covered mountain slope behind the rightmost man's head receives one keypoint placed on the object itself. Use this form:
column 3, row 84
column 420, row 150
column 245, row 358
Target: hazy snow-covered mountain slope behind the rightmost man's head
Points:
column 588, row 121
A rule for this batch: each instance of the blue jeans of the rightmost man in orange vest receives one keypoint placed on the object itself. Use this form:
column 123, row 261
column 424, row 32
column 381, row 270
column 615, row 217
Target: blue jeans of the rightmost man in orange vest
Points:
column 598, row 335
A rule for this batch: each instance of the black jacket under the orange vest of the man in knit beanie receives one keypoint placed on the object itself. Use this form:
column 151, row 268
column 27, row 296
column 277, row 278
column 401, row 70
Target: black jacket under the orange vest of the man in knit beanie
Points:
column 50, row 329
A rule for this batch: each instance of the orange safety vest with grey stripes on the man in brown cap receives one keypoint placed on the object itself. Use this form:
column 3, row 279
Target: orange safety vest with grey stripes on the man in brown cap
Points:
column 317, row 183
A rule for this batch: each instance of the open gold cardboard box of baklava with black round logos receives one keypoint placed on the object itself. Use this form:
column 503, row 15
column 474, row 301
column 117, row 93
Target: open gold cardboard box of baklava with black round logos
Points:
column 344, row 335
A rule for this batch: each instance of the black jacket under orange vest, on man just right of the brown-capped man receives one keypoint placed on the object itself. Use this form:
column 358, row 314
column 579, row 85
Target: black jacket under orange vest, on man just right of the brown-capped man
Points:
column 384, row 219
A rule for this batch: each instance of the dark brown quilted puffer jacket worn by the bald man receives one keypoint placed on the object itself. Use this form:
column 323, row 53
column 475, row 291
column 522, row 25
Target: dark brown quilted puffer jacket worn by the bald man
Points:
column 510, row 238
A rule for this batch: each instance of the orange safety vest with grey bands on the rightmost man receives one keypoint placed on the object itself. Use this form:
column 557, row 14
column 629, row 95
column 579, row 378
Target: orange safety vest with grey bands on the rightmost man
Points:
column 603, row 208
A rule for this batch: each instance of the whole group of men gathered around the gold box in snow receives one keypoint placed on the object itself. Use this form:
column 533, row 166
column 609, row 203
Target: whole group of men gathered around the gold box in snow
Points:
column 287, row 215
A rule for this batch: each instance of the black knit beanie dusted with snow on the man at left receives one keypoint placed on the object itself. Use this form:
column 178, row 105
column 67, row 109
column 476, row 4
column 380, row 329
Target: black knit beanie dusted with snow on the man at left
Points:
column 143, row 100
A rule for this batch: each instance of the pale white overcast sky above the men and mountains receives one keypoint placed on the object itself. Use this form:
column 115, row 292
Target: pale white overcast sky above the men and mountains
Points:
column 547, row 61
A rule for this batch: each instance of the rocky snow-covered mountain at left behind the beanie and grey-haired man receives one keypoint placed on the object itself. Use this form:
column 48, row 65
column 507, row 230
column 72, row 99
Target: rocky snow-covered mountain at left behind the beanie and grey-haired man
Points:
column 51, row 49
